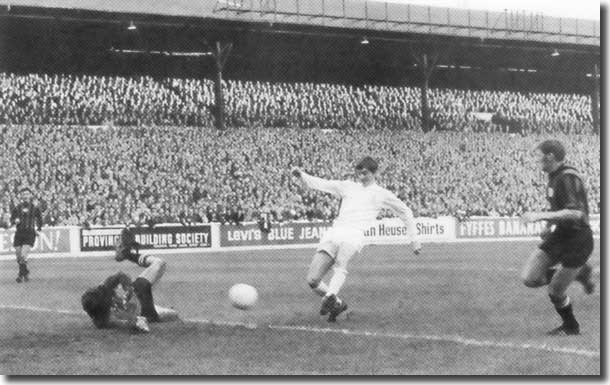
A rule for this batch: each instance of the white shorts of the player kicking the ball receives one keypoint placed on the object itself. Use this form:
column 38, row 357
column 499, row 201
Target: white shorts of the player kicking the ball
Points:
column 341, row 244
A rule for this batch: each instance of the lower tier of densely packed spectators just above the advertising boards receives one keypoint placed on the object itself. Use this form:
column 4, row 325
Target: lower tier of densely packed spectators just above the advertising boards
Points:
column 152, row 174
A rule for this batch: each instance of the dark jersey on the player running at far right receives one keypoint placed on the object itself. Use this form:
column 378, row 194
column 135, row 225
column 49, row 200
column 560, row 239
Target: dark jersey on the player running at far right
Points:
column 567, row 191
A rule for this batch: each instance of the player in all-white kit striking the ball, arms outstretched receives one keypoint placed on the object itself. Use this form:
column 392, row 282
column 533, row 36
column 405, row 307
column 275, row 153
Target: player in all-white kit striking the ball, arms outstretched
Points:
column 361, row 202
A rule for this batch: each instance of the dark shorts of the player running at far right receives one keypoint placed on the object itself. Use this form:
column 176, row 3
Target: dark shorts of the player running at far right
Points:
column 570, row 248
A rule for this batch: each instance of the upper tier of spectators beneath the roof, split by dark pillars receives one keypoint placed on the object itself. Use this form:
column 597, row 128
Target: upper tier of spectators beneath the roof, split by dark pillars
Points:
column 97, row 100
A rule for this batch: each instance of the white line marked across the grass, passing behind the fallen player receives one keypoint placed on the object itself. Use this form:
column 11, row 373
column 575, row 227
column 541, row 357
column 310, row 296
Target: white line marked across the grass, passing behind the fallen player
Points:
column 309, row 329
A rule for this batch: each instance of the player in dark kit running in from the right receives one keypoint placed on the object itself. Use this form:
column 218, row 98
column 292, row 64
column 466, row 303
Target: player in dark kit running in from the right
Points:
column 567, row 239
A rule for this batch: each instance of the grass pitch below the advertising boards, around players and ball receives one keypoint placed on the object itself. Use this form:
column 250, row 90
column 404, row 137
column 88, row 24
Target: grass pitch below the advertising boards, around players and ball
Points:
column 454, row 309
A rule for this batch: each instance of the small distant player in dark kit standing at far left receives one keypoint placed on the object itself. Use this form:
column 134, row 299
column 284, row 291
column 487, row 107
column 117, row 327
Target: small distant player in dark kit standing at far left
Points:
column 27, row 218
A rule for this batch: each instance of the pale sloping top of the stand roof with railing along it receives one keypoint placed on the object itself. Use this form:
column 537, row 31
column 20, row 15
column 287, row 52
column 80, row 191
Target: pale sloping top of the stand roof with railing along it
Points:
column 355, row 14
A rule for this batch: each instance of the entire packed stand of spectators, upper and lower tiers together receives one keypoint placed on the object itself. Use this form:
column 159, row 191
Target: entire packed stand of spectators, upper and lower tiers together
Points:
column 107, row 150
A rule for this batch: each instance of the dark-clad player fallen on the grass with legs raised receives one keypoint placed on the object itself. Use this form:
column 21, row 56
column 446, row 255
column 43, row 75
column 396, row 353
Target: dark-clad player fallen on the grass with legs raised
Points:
column 121, row 302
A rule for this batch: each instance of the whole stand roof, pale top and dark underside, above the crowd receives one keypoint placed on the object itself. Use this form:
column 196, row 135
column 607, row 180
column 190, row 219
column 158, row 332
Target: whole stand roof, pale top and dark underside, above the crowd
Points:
column 60, row 37
